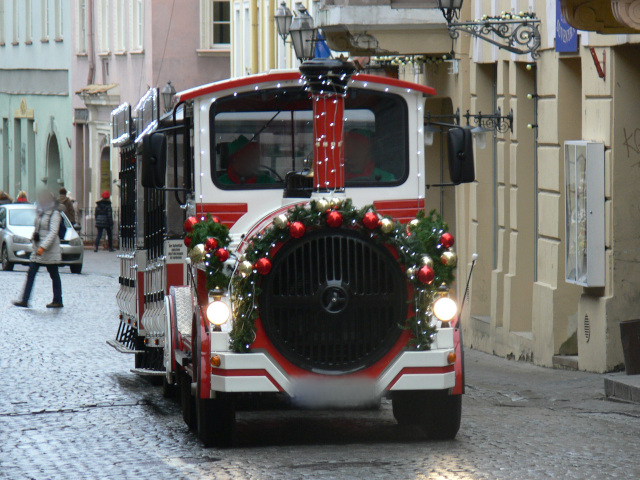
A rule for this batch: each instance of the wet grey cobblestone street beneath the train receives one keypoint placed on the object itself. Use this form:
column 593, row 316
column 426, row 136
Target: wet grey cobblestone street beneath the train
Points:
column 71, row 409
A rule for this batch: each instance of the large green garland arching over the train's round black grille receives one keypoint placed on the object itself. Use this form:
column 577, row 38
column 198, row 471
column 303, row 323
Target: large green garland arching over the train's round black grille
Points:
column 413, row 242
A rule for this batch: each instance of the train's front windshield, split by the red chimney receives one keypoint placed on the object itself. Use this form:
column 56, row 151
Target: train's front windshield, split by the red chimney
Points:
column 259, row 137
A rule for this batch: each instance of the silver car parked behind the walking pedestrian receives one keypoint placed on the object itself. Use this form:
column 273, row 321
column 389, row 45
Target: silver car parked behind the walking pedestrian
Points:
column 16, row 230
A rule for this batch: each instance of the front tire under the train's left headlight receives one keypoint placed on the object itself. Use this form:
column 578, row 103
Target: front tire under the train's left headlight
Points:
column 216, row 419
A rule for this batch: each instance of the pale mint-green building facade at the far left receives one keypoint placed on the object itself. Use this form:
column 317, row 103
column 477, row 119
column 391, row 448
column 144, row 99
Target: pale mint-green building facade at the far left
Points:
column 35, row 100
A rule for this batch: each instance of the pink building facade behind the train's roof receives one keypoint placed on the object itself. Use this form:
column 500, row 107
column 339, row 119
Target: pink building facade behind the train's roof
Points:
column 120, row 49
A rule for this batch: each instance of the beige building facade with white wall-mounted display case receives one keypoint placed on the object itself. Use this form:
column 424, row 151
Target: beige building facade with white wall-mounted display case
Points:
column 521, row 216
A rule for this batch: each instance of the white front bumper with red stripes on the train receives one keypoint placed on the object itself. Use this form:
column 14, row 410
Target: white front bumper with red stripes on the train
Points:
column 259, row 372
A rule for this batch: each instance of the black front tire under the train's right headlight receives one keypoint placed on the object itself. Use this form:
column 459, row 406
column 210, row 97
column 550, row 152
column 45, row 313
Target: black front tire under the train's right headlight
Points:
column 436, row 412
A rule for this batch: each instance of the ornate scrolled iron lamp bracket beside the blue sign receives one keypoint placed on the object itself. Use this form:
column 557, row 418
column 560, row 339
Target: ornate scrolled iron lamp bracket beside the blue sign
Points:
column 519, row 34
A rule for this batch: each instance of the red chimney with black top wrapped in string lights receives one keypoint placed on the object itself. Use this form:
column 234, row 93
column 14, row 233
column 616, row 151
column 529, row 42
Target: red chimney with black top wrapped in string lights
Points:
column 327, row 81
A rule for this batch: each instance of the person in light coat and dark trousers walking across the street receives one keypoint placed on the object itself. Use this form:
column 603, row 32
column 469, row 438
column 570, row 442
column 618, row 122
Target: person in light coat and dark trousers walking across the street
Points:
column 46, row 249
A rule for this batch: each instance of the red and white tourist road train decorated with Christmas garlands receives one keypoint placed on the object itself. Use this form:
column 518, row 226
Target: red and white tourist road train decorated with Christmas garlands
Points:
column 329, row 289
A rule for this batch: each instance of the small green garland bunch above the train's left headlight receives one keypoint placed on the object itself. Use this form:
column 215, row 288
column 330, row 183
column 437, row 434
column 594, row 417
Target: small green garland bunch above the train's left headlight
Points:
column 201, row 232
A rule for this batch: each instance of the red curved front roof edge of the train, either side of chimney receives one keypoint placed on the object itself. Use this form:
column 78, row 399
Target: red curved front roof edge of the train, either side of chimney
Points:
column 281, row 76
